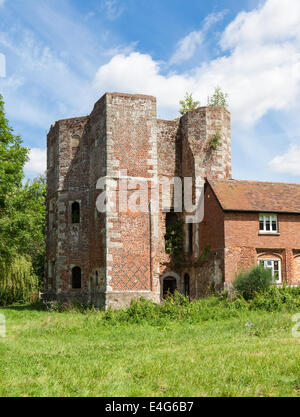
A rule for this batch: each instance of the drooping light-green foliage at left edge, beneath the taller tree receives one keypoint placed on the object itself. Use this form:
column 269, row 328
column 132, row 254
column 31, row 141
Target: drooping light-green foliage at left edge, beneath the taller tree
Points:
column 18, row 283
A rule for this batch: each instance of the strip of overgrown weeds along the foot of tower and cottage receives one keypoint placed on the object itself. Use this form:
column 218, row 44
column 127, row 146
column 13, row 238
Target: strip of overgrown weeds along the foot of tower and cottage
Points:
column 179, row 308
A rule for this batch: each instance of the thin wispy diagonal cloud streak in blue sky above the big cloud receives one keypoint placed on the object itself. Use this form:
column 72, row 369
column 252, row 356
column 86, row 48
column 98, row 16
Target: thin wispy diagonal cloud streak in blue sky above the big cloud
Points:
column 186, row 47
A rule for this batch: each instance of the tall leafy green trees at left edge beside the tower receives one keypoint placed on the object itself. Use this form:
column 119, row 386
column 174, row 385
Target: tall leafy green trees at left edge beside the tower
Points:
column 22, row 213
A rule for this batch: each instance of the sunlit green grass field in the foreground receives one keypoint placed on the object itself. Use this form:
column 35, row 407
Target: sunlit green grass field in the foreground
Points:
column 77, row 354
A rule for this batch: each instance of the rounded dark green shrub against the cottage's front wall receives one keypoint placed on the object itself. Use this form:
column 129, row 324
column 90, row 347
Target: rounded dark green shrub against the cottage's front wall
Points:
column 257, row 280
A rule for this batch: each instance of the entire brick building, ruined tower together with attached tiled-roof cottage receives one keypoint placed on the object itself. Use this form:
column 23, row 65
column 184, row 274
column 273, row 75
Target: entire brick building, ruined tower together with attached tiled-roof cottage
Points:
column 109, row 258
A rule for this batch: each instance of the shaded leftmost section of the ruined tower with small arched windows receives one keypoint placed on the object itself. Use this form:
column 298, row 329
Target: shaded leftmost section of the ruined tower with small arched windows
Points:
column 66, row 244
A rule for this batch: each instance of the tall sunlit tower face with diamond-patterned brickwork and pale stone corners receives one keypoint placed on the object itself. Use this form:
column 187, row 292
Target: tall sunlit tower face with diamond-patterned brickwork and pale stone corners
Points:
column 131, row 150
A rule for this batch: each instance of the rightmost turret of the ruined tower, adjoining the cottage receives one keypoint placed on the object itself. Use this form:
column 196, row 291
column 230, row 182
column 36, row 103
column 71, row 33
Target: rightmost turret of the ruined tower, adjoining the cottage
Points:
column 199, row 159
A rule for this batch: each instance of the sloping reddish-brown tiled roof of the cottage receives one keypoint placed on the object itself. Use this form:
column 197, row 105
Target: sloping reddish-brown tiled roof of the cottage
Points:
column 235, row 195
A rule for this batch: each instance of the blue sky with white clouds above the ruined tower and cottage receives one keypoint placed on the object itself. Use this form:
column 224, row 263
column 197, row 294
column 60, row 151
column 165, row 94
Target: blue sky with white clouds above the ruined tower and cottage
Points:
column 58, row 57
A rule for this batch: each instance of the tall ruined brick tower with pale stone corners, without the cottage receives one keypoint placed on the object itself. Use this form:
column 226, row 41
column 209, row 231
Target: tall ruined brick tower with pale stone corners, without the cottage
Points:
column 109, row 258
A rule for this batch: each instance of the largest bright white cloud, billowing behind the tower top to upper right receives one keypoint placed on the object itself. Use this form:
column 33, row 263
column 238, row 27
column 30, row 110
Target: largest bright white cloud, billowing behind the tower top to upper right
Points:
column 260, row 68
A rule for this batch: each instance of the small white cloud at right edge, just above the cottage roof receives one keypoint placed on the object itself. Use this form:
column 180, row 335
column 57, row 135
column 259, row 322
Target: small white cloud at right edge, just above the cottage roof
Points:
column 288, row 163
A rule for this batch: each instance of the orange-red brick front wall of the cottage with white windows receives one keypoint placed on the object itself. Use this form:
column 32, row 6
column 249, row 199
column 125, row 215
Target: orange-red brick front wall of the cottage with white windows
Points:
column 244, row 245
